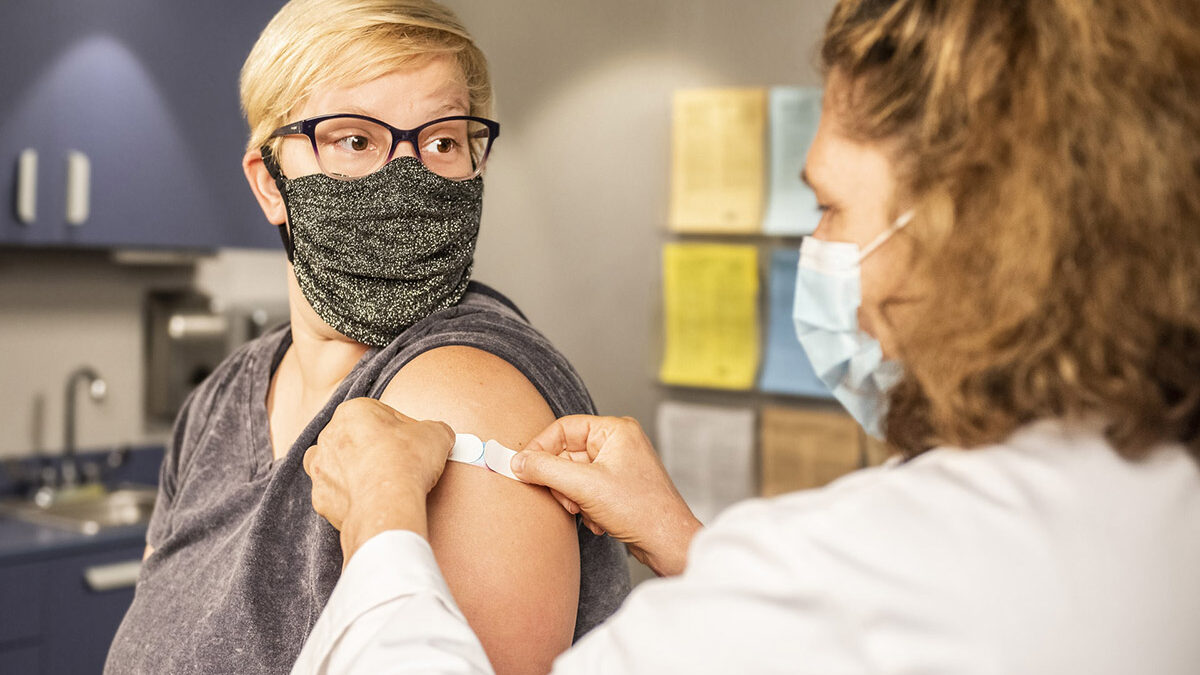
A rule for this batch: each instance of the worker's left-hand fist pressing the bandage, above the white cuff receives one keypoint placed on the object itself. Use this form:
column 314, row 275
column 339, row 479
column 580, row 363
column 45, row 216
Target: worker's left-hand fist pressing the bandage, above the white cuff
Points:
column 373, row 470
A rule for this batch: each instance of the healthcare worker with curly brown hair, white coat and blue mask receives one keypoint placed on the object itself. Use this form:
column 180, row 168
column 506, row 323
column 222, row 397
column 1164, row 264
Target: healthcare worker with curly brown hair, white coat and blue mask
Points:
column 1006, row 283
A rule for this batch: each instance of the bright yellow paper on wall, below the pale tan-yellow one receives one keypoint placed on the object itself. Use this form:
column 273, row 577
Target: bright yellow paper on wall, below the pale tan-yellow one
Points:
column 711, row 302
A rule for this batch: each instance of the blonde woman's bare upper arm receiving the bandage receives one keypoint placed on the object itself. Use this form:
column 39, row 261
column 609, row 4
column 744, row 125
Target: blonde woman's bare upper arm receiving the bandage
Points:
column 508, row 551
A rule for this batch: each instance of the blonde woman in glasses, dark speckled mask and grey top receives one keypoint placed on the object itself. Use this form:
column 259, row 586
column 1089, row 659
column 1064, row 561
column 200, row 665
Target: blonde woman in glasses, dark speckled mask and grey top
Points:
column 370, row 134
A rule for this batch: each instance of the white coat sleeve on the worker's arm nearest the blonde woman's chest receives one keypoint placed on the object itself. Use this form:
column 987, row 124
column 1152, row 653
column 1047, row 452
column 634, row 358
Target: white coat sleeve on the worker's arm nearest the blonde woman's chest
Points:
column 392, row 613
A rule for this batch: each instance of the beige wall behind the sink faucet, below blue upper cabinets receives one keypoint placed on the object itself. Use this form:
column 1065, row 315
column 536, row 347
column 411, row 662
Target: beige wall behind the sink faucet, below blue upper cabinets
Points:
column 62, row 310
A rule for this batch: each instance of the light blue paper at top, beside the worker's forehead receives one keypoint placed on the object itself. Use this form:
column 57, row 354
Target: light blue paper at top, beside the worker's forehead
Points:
column 794, row 114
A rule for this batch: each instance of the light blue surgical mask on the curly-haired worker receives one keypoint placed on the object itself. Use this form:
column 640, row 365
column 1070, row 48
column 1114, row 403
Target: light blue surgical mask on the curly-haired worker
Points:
column 829, row 294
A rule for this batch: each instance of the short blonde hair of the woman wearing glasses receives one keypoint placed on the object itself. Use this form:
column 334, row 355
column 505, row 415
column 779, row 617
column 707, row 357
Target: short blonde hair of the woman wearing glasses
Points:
column 314, row 44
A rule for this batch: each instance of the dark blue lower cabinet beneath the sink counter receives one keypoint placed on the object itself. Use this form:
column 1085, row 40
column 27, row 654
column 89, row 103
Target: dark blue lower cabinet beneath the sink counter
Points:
column 55, row 620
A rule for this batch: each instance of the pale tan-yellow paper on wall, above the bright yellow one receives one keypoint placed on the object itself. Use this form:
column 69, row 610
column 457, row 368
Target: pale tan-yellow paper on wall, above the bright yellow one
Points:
column 718, row 166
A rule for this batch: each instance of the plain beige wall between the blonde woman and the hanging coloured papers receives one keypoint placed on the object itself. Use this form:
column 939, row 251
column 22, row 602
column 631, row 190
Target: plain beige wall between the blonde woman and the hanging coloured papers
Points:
column 577, row 199
